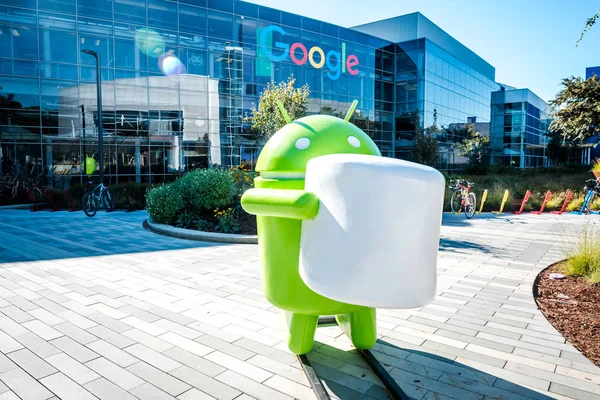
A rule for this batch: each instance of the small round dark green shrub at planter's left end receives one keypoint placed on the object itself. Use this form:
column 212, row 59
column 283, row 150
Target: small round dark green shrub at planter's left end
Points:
column 164, row 204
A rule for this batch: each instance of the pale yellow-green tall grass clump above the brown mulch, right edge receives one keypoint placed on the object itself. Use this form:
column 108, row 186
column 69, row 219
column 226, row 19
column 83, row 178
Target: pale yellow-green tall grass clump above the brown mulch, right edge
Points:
column 583, row 256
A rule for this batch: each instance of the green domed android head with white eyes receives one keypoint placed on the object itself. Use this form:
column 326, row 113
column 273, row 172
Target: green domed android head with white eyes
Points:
column 285, row 155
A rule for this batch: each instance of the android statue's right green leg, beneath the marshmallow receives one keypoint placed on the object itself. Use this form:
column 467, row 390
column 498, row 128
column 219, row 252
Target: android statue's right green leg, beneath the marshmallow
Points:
column 360, row 327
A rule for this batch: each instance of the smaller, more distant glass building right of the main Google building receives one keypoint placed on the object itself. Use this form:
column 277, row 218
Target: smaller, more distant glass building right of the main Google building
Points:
column 519, row 129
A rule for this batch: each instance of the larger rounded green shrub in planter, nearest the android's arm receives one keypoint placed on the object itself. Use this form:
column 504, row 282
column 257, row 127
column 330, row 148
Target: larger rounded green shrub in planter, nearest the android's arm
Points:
column 206, row 190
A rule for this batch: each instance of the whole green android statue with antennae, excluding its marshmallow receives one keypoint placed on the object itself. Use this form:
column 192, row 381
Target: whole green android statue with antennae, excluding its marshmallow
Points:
column 280, row 203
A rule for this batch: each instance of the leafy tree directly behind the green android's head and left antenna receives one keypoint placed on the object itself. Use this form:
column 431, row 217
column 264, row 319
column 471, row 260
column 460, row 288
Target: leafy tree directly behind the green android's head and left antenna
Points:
column 267, row 119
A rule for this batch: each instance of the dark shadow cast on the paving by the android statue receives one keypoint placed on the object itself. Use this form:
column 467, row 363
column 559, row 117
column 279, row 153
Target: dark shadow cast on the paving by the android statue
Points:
column 420, row 375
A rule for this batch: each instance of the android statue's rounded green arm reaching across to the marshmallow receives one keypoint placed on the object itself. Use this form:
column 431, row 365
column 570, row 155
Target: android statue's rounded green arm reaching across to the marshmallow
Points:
column 294, row 204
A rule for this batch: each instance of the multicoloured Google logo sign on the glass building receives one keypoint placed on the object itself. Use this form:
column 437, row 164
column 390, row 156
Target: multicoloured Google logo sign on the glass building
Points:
column 336, row 62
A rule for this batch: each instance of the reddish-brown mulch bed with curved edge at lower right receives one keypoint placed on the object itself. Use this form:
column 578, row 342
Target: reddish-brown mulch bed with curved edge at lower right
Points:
column 572, row 306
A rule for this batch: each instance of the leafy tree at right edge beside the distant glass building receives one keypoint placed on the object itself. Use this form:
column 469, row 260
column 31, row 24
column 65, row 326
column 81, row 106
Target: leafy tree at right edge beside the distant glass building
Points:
column 576, row 108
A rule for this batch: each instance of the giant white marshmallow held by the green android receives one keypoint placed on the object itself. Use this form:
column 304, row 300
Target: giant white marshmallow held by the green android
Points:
column 375, row 239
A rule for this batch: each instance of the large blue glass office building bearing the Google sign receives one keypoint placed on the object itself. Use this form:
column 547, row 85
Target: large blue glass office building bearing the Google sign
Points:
column 179, row 76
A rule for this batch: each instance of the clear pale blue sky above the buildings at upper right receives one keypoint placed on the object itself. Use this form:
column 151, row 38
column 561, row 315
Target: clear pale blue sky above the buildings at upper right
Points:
column 531, row 43
